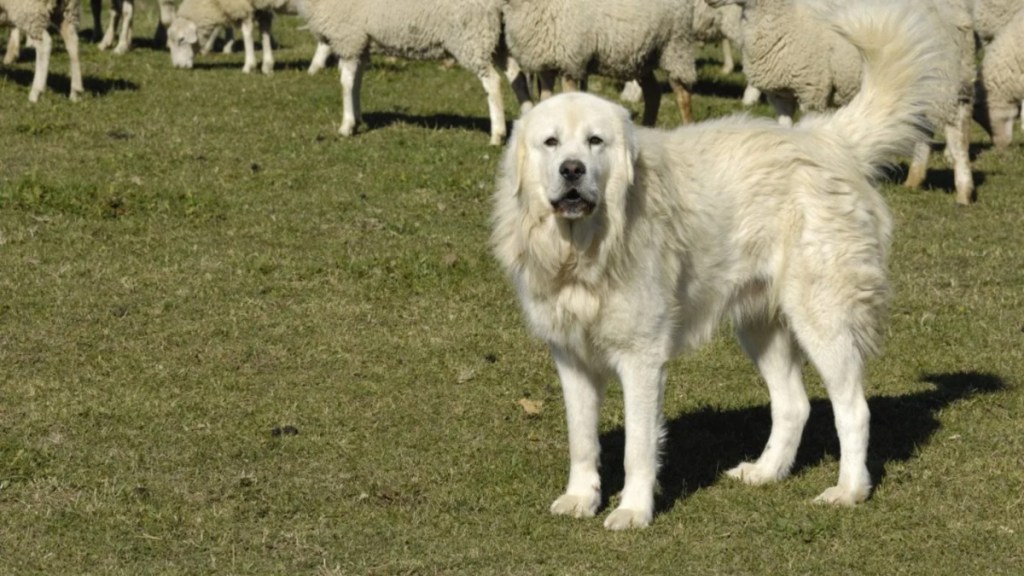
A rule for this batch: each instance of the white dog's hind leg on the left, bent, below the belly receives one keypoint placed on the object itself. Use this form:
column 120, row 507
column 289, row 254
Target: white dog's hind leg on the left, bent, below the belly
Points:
column 779, row 359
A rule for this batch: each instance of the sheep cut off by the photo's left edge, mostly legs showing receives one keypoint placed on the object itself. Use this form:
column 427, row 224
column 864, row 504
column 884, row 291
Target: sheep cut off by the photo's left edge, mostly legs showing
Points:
column 34, row 19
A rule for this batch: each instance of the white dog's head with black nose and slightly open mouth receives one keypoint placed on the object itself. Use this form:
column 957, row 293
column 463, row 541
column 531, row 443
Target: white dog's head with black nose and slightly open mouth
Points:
column 570, row 155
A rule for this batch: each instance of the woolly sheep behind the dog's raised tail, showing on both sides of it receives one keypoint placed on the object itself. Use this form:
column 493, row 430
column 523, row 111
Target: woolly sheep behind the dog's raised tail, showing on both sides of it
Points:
column 792, row 57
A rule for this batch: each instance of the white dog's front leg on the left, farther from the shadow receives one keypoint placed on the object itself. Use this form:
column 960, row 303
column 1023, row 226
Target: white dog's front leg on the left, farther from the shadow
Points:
column 584, row 391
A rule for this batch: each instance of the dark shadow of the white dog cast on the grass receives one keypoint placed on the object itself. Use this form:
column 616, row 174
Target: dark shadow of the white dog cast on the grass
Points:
column 700, row 446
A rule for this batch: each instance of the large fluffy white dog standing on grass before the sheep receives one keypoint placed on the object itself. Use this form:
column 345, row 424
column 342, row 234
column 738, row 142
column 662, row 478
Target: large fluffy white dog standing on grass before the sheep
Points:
column 629, row 245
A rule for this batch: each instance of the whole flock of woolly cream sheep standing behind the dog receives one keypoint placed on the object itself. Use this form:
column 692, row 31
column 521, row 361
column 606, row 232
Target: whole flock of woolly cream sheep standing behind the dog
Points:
column 788, row 54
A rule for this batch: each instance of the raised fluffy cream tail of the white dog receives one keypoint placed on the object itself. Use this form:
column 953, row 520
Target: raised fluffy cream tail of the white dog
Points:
column 910, row 68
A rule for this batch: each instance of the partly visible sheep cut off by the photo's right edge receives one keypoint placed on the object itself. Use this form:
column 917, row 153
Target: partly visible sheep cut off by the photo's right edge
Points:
column 1003, row 80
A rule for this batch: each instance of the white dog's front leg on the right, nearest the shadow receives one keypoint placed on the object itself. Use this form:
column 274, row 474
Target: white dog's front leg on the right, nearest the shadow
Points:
column 644, row 391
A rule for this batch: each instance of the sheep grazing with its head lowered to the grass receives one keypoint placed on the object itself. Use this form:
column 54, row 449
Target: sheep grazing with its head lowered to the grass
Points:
column 196, row 21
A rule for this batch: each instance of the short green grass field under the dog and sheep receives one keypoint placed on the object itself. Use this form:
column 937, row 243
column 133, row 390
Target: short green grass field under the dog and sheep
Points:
column 233, row 343
